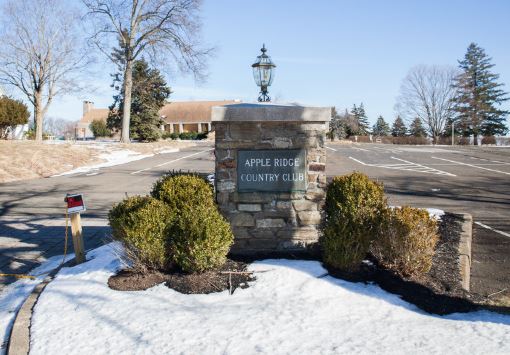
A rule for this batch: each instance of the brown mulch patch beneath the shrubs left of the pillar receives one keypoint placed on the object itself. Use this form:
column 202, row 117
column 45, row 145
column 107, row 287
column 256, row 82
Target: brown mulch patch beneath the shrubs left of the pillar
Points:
column 231, row 276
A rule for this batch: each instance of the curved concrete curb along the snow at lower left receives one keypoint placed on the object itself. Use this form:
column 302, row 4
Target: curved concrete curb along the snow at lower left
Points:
column 19, row 337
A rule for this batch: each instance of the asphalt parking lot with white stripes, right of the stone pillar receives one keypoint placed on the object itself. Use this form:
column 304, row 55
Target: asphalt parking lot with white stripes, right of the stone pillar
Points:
column 473, row 180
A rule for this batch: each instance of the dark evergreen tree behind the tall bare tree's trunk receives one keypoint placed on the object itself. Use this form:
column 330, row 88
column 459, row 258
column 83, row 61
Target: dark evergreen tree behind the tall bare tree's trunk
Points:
column 149, row 95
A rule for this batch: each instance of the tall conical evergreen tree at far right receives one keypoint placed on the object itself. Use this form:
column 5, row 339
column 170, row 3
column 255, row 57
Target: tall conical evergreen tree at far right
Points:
column 477, row 96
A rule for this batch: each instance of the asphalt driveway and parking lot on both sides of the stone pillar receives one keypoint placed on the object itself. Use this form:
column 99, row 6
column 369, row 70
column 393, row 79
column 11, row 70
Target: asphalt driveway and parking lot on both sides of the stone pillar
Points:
column 473, row 180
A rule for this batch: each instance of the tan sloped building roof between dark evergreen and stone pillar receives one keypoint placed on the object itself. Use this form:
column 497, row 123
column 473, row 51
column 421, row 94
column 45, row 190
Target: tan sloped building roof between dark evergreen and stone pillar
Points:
column 190, row 111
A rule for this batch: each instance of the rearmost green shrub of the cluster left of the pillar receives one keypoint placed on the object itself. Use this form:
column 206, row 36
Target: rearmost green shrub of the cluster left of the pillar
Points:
column 178, row 189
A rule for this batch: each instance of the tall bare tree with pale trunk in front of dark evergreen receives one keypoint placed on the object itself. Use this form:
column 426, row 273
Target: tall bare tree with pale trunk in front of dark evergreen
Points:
column 156, row 29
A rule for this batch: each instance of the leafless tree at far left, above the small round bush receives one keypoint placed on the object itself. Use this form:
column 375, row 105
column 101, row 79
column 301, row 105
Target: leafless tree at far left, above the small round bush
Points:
column 40, row 52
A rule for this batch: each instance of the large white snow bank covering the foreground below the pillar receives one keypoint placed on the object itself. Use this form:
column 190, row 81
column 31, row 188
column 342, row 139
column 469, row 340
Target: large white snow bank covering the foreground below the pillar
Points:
column 288, row 309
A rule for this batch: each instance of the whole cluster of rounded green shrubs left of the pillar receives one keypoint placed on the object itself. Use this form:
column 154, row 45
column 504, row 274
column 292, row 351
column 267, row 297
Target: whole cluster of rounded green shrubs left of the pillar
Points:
column 180, row 225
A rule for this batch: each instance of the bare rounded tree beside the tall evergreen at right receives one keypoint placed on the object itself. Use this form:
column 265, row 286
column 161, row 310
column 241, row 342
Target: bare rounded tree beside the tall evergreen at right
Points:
column 426, row 92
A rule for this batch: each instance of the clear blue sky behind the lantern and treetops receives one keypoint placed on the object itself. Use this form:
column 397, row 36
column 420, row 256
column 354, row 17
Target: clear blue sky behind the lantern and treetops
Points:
column 331, row 53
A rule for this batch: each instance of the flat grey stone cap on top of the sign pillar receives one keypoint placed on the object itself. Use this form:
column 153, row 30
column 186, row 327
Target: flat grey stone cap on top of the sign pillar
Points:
column 262, row 112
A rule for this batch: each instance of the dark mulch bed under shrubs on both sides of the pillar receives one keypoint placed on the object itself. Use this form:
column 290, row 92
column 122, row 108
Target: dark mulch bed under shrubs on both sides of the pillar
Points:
column 439, row 291
